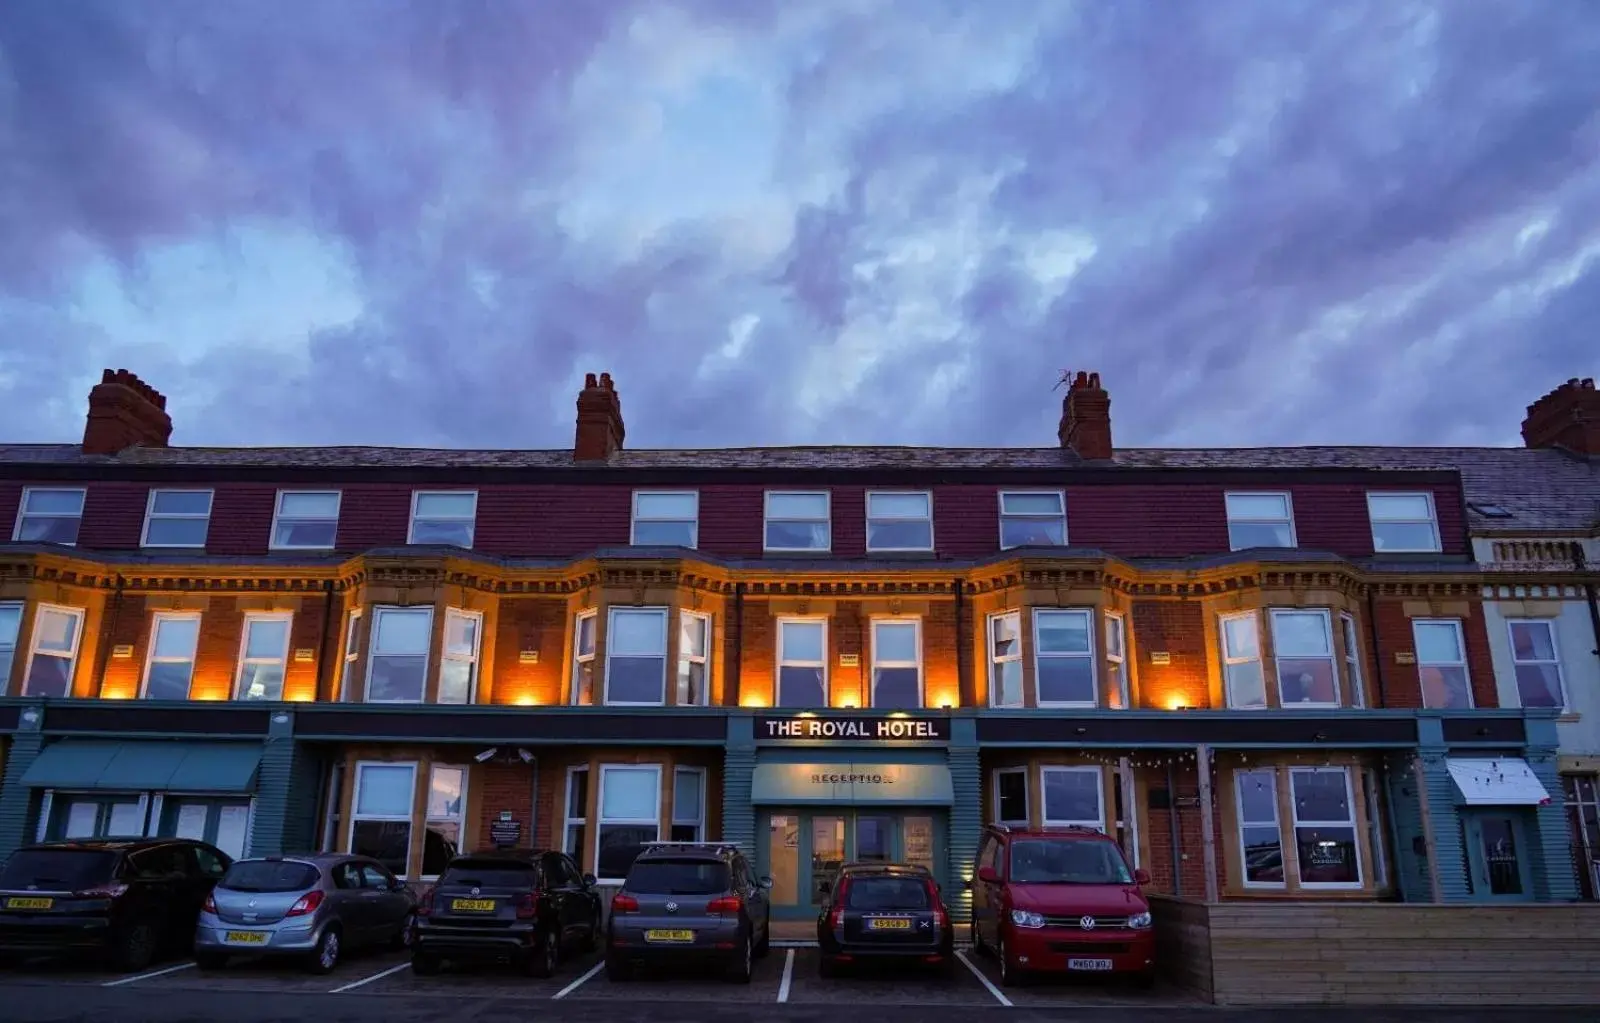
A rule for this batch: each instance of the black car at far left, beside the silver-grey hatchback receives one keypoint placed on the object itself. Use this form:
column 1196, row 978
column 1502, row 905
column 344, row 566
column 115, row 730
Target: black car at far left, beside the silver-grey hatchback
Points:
column 130, row 901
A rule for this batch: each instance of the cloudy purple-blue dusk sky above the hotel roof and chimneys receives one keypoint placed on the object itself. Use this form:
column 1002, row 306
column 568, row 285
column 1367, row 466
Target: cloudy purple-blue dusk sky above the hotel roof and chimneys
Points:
column 814, row 222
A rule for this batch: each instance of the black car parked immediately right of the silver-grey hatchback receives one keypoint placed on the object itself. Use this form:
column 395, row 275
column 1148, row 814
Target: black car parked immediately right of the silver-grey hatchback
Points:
column 529, row 907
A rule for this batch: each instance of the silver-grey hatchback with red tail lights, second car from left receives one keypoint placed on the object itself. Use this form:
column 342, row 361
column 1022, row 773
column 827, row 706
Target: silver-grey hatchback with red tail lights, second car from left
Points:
column 314, row 909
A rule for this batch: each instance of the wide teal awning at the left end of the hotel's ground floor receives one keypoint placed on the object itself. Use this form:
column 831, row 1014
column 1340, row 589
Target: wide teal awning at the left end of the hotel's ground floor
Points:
column 129, row 768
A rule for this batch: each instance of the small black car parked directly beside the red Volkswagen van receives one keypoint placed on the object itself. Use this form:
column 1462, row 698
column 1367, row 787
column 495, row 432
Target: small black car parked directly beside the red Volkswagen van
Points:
column 886, row 912
